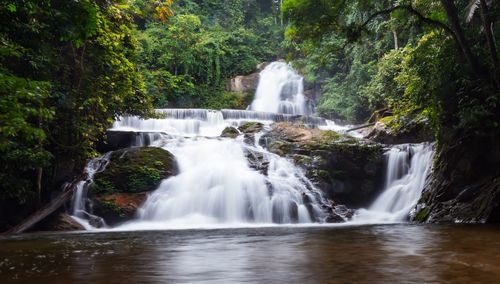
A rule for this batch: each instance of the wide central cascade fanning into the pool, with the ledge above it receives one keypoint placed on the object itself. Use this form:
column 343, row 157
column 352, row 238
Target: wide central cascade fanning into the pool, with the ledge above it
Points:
column 217, row 185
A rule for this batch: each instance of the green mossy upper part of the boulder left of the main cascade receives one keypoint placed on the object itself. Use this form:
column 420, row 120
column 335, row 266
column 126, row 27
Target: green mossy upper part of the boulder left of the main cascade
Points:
column 134, row 170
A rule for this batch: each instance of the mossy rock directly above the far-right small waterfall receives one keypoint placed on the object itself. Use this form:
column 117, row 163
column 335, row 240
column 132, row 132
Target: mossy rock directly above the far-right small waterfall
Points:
column 390, row 130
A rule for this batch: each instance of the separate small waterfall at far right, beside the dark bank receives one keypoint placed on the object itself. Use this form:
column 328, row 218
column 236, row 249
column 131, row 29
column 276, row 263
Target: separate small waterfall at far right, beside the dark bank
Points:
column 407, row 169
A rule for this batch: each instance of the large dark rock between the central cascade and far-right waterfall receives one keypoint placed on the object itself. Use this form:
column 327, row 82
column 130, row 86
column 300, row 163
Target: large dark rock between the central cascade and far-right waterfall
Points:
column 349, row 171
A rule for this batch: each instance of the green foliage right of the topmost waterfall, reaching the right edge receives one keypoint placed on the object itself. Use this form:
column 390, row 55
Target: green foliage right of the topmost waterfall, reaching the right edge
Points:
column 423, row 67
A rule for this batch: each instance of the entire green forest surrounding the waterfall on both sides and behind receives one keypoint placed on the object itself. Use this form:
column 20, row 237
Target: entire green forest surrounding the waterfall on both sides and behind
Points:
column 68, row 69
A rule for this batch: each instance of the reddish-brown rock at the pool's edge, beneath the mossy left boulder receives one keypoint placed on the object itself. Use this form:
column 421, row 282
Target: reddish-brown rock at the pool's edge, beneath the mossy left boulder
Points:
column 119, row 207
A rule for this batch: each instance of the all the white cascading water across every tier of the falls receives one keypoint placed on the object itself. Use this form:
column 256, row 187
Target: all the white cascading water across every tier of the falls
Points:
column 217, row 186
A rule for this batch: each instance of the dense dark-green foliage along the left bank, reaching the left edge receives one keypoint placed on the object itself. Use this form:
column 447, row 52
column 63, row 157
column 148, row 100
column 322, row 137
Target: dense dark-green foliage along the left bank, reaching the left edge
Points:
column 67, row 69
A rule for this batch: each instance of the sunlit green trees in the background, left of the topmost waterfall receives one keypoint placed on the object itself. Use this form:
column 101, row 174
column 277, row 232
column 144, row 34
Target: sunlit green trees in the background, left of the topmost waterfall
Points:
column 187, row 61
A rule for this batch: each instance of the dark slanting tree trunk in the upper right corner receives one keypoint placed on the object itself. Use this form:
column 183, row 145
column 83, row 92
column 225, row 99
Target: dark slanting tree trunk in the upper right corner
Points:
column 453, row 18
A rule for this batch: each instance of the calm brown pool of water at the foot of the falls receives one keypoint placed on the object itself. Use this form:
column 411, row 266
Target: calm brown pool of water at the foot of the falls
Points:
column 366, row 254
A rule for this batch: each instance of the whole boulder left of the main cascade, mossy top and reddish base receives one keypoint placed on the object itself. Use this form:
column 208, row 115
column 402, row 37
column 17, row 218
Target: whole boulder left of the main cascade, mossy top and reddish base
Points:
column 121, row 188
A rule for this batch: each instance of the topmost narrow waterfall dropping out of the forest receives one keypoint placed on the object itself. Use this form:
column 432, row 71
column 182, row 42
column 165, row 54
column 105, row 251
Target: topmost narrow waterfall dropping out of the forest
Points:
column 281, row 90
